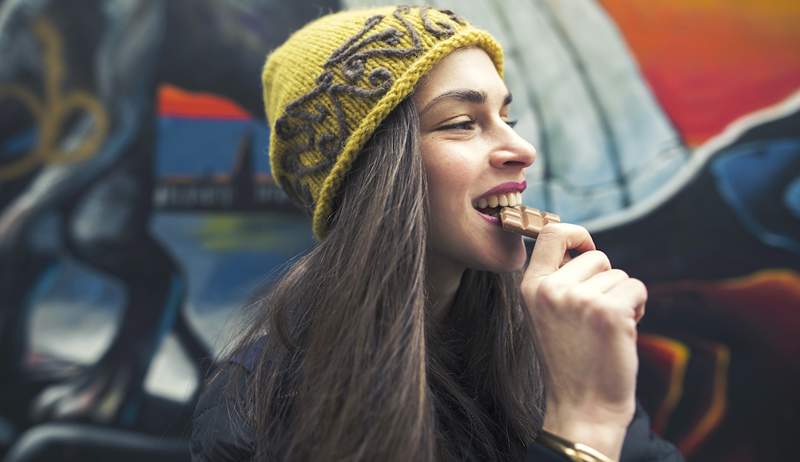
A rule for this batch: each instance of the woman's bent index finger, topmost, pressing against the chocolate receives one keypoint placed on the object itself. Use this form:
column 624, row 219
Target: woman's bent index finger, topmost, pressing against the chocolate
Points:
column 552, row 244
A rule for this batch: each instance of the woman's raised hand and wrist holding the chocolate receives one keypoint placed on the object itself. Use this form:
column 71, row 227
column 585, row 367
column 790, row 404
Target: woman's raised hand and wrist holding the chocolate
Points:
column 585, row 315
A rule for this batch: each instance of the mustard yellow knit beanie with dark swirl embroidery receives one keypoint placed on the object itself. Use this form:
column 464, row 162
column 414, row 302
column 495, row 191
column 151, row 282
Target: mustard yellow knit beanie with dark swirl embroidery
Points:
column 329, row 86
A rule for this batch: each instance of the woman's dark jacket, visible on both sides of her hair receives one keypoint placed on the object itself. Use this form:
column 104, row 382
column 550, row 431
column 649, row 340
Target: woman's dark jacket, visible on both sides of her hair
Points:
column 216, row 438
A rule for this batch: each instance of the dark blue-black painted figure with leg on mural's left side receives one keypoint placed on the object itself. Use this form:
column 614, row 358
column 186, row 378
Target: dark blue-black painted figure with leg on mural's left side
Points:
column 77, row 126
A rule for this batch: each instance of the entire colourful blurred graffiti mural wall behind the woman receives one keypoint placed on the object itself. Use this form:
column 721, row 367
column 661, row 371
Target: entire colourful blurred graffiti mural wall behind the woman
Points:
column 138, row 215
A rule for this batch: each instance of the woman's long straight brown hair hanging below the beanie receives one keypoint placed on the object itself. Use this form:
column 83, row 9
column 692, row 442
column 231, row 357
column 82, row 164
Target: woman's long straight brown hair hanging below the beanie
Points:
column 353, row 366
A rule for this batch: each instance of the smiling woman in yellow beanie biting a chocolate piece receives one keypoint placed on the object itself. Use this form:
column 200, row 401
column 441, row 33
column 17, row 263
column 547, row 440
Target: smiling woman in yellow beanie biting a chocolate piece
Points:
column 407, row 333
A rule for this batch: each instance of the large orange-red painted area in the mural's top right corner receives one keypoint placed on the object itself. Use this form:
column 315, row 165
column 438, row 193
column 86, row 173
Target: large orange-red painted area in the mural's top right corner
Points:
column 710, row 62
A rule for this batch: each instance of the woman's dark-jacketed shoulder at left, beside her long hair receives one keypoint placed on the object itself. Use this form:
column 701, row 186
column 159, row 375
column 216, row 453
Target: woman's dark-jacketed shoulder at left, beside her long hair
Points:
column 218, row 432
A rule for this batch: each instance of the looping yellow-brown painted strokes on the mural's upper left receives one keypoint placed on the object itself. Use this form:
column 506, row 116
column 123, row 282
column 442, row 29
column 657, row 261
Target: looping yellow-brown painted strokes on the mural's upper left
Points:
column 53, row 111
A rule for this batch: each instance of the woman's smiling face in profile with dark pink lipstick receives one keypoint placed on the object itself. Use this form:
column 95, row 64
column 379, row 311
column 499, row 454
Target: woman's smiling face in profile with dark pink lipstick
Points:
column 470, row 152
